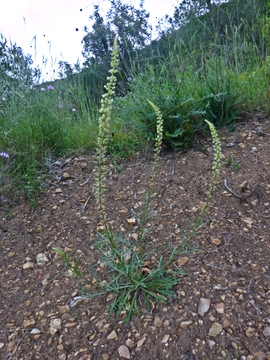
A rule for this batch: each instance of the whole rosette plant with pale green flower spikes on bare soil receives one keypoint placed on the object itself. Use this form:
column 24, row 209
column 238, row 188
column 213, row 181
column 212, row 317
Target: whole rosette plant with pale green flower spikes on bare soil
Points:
column 134, row 279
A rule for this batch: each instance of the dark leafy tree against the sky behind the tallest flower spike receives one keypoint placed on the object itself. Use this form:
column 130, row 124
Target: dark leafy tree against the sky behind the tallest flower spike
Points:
column 128, row 23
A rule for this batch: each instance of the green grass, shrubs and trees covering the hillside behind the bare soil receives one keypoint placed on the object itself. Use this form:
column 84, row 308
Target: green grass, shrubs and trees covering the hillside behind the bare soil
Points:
column 210, row 61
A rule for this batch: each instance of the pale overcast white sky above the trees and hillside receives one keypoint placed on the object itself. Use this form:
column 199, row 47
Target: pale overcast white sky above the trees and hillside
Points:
column 46, row 29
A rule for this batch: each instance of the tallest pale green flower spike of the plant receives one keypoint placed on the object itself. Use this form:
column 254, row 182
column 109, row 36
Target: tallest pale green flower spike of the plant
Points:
column 103, row 135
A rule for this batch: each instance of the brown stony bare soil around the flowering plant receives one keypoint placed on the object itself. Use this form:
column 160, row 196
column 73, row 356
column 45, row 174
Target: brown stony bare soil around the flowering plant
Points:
column 231, row 267
